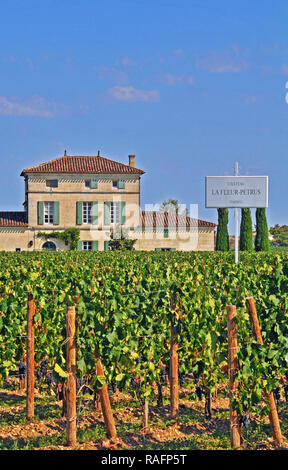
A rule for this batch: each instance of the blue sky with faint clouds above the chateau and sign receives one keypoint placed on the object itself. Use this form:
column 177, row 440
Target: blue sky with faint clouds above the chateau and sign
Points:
column 189, row 86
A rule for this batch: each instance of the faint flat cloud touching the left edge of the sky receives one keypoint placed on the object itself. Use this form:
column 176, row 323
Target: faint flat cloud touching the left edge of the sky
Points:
column 36, row 106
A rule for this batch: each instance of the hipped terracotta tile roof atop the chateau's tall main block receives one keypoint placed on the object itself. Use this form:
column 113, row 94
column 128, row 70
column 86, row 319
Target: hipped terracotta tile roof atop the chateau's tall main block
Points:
column 83, row 164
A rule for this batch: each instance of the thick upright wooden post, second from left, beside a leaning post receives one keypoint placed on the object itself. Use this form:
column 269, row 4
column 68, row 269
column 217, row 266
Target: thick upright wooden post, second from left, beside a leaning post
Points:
column 71, row 379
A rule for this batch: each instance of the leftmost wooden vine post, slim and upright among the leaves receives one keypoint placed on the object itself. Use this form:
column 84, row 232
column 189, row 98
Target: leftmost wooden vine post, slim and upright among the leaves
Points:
column 30, row 357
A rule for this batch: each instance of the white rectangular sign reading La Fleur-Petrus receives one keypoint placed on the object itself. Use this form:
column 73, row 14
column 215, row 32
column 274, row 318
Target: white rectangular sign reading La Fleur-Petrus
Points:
column 236, row 191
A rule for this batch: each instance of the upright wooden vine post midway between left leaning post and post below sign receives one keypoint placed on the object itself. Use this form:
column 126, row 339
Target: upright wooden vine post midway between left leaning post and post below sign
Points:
column 174, row 387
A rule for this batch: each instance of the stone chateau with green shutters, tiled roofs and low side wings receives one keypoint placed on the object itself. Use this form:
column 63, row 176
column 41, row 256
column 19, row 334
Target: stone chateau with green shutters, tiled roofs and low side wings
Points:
column 95, row 194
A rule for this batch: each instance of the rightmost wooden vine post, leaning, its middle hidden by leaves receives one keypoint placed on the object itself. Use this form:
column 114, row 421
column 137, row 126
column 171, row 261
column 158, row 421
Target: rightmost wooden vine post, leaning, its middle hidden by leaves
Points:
column 273, row 415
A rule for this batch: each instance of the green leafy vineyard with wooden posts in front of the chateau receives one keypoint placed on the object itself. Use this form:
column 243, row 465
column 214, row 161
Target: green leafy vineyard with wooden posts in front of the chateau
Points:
column 148, row 335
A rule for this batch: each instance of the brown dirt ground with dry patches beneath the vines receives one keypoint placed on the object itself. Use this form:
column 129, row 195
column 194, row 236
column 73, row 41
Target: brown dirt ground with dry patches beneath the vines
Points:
column 12, row 428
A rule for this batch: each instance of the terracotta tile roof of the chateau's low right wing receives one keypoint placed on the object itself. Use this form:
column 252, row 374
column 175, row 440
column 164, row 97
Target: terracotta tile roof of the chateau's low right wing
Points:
column 170, row 219
